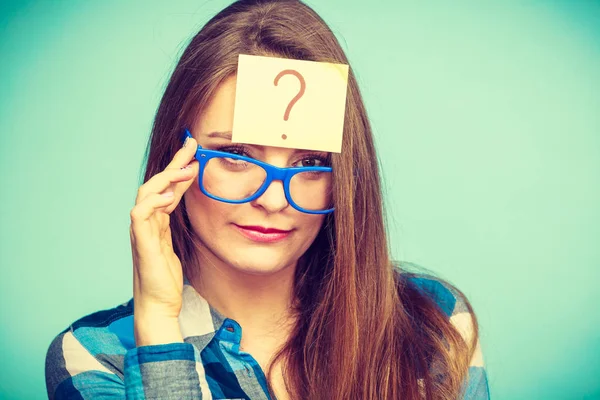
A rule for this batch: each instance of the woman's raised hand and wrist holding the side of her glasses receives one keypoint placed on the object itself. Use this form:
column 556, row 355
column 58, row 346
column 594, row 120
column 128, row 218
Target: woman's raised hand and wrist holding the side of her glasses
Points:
column 157, row 271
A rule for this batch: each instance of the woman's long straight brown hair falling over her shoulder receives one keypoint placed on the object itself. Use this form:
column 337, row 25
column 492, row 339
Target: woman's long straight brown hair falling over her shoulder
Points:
column 363, row 332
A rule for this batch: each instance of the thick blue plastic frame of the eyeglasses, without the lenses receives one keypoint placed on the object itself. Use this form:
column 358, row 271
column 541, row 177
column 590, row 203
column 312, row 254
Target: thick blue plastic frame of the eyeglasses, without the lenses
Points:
column 273, row 174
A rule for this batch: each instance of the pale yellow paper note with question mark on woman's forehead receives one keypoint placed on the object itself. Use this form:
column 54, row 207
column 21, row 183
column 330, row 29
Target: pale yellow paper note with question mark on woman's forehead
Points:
column 290, row 103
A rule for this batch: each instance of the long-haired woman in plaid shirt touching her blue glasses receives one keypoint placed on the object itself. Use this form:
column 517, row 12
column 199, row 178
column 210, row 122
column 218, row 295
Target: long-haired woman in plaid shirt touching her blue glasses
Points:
column 304, row 273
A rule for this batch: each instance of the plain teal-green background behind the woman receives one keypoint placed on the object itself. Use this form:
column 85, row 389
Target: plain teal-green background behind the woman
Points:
column 487, row 122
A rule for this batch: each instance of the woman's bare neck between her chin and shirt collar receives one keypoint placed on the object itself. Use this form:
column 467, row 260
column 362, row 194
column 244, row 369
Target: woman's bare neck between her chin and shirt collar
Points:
column 260, row 303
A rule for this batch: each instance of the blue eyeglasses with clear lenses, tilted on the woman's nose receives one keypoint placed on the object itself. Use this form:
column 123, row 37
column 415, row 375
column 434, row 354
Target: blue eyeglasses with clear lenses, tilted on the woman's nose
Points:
column 236, row 179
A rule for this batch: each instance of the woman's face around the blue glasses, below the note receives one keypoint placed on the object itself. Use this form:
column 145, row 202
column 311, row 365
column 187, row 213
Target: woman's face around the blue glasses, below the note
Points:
column 217, row 224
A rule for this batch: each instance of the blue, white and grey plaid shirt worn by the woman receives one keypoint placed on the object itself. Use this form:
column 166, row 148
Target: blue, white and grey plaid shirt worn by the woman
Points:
column 96, row 357
